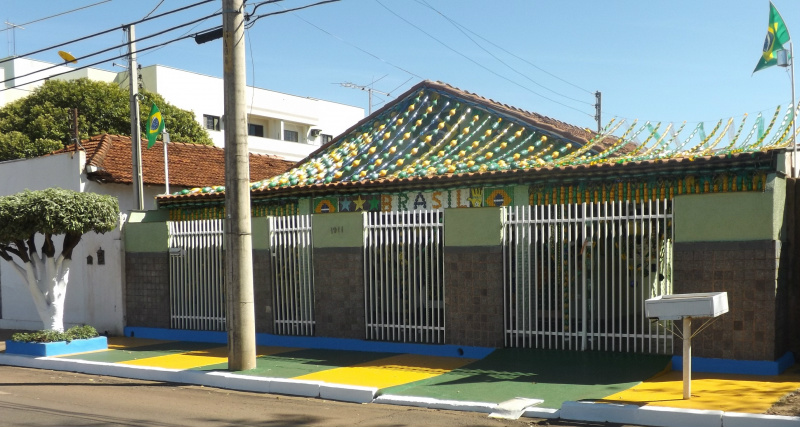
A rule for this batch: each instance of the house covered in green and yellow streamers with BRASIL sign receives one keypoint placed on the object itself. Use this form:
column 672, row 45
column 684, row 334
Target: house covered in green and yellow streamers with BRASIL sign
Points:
column 448, row 218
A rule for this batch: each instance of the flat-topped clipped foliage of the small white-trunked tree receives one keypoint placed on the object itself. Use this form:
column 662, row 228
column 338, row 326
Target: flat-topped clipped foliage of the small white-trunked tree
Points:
column 54, row 211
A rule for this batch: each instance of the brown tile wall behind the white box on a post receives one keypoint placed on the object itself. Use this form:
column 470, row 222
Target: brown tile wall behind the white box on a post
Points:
column 755, row 328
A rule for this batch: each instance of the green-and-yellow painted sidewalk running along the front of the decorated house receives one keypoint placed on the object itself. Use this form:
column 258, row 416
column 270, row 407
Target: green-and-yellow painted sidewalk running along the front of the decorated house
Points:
column 554, row 376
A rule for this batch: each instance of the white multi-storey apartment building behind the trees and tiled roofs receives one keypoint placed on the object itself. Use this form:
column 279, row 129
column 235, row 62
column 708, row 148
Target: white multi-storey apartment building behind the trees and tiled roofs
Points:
column 279, row 124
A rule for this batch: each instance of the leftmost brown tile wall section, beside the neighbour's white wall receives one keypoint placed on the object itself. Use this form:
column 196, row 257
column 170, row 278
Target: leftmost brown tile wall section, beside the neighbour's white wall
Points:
column 147, row 289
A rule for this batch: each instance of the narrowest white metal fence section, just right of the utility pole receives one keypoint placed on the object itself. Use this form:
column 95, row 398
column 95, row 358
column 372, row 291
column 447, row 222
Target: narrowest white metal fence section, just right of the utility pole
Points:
column 293, row 274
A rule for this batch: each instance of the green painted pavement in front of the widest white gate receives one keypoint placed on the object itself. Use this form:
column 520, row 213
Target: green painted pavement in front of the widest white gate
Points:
column 555, row 376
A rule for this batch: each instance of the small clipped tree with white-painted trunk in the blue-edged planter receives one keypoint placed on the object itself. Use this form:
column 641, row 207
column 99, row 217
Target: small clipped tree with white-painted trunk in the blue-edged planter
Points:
column 50, row 213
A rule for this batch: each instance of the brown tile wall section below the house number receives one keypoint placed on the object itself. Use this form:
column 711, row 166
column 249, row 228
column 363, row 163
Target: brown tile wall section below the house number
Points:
column 339, row 292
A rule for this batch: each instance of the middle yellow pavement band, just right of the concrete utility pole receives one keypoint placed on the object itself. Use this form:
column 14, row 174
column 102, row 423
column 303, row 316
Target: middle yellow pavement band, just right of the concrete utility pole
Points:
column 390, row 371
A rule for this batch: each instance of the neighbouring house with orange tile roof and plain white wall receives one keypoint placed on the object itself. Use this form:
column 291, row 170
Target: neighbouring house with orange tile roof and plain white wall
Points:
column 103, row 164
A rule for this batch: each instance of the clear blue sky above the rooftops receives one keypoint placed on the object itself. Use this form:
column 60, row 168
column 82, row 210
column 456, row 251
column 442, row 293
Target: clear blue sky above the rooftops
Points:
column 660, row 61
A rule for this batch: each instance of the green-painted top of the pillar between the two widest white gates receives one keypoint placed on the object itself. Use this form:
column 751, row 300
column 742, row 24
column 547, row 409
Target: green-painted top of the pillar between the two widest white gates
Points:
column 473, row 227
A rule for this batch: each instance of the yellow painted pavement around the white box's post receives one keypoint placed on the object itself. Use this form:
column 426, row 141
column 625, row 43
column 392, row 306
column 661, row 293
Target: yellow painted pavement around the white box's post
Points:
column 723, row 392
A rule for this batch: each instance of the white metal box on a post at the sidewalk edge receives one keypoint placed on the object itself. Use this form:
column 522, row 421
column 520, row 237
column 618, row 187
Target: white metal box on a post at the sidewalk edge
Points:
column 687, row 306
